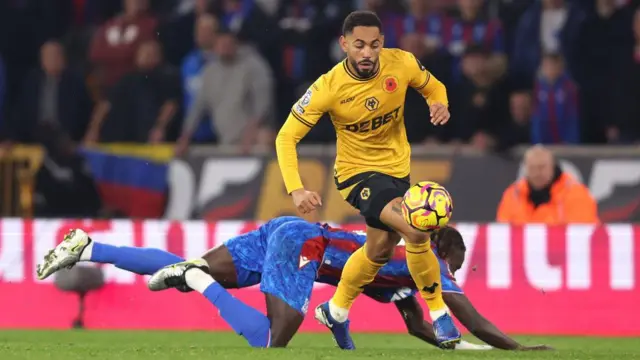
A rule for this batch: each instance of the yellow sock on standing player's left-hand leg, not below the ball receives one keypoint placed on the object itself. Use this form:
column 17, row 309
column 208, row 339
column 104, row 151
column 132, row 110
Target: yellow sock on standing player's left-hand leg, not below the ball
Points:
column 358, row 272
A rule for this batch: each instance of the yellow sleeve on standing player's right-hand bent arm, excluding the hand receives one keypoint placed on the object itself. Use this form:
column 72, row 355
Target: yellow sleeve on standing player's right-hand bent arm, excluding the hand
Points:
column 424, row 82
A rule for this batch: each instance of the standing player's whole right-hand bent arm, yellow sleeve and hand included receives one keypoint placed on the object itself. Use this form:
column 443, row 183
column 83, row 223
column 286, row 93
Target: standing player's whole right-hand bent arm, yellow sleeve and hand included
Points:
column 431, row 89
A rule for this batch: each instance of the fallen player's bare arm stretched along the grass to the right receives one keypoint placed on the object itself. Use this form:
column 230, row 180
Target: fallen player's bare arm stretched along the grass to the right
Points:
column 477, row 324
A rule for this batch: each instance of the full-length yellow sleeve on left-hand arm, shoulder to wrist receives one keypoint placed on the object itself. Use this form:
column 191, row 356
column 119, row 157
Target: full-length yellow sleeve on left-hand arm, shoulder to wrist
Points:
column 304, row 114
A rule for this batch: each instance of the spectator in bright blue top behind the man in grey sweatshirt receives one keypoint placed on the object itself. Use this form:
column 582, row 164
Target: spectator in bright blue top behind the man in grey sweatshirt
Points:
column 192, row 67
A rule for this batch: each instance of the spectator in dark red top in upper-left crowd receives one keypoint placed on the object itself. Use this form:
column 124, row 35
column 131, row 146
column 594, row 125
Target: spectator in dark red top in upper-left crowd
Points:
column 114, row 45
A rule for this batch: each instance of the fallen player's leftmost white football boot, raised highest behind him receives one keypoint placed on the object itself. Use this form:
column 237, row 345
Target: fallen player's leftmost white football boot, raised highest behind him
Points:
column 65, row 255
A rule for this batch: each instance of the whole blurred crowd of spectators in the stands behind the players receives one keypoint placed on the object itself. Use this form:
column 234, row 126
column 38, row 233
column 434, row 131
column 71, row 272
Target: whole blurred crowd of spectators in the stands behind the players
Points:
column 228, row 71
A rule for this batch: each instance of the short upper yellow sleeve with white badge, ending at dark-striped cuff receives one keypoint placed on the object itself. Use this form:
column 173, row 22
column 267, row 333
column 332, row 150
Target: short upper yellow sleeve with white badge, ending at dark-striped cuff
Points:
column 314, row 103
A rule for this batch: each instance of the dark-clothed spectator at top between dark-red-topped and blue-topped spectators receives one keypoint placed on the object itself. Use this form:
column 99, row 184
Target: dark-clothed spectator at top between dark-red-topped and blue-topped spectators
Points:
column 176, row 35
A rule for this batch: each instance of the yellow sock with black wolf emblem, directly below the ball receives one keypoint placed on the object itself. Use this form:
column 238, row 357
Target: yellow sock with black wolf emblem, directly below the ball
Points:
column 425, row 271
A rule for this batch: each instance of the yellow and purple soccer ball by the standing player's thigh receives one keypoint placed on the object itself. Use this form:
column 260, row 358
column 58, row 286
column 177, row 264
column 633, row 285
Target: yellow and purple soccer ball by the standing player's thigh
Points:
column 427, row 206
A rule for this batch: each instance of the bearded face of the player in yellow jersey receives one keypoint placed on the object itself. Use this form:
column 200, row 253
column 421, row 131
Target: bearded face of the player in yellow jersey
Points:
column 363, row 47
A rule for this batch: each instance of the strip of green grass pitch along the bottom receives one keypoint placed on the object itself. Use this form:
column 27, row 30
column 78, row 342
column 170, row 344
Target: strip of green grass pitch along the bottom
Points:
column 152, row 345
